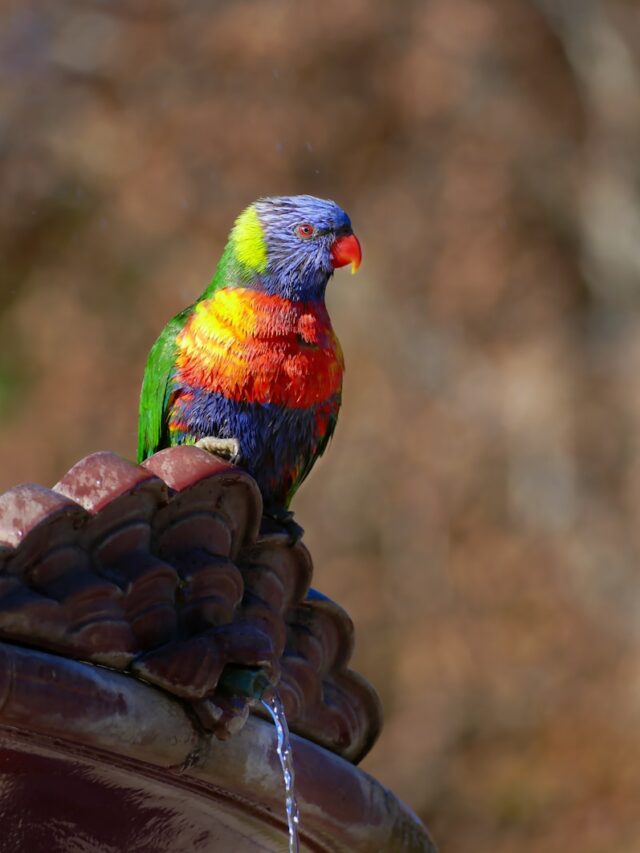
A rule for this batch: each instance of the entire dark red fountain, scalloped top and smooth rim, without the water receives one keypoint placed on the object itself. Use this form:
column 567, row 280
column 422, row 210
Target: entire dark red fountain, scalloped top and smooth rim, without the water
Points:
column 161, row 576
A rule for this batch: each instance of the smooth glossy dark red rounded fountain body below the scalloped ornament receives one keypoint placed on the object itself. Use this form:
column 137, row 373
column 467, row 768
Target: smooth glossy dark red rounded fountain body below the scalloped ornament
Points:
column 93, row 760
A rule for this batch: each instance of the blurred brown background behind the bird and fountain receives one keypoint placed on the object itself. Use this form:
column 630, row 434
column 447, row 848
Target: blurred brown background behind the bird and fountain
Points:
column 478, row 512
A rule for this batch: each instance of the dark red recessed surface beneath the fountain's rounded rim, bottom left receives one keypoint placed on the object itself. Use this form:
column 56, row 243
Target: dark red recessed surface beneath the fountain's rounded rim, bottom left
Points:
column 52, row 802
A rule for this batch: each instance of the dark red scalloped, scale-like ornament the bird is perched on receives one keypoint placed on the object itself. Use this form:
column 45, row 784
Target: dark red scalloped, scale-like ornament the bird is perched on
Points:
column 162, row 570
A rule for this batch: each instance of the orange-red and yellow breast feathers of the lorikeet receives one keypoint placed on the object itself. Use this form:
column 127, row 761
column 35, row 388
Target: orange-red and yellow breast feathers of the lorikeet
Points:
column 260, row 348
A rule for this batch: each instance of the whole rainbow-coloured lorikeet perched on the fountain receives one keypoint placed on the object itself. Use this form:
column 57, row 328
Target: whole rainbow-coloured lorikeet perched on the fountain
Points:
column 253, row 370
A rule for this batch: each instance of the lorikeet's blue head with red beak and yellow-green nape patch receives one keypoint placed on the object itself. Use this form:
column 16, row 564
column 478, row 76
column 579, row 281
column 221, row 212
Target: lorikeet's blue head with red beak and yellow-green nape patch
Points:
column 290, row 245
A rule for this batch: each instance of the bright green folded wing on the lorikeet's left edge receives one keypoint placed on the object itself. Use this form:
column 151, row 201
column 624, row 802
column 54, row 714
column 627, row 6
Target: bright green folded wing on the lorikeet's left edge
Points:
column 153, row 433
